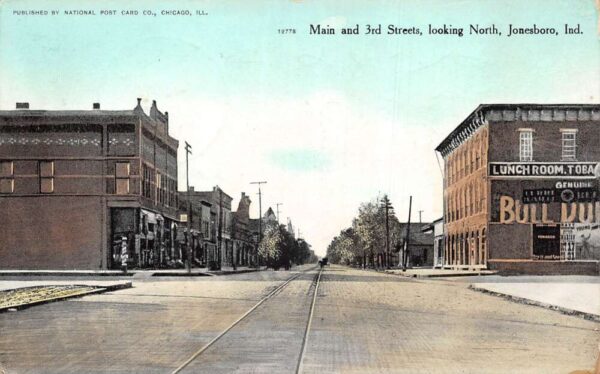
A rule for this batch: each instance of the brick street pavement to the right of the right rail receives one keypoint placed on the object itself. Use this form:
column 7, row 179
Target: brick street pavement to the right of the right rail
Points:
column 367, row 322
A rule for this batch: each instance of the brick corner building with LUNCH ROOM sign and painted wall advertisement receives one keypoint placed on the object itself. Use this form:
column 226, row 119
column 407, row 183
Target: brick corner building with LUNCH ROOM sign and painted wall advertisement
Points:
column 521, row 189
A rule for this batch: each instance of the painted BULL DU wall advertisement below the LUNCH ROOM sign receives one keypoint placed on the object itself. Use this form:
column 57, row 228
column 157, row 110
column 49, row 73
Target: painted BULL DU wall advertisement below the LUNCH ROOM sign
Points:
column 564, row 215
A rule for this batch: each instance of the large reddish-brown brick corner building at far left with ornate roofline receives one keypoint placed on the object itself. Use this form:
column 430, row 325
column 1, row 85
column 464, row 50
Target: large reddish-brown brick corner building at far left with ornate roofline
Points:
column 74, row 183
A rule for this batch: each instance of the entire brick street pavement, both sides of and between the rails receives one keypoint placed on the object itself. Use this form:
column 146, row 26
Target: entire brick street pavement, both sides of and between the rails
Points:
column 365, row 322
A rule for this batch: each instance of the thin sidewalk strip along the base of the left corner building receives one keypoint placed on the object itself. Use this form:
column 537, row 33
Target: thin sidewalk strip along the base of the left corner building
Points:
column 142, row 273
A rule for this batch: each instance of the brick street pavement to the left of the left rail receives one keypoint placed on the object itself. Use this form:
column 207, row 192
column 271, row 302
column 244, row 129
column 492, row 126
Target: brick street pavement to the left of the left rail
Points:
column 150, row 328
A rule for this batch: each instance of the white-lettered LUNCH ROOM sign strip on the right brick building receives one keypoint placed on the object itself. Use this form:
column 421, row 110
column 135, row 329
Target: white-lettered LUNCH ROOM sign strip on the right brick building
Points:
column 543, row 169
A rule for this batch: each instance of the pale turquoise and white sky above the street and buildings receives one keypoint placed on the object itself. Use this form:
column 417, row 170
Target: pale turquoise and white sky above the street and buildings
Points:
column 329, row 121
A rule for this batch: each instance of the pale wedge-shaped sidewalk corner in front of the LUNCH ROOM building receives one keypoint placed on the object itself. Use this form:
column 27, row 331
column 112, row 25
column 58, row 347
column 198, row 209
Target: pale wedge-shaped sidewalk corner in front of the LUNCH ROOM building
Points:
column 575, row 298
